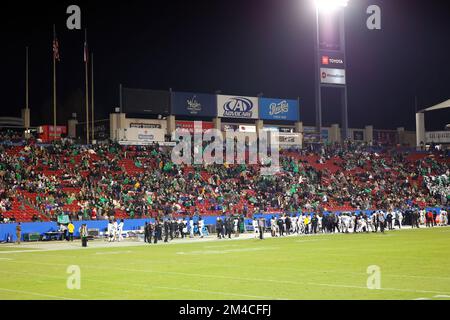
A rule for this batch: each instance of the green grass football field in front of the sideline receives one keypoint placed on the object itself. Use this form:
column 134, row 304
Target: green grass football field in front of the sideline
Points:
column 414, row 264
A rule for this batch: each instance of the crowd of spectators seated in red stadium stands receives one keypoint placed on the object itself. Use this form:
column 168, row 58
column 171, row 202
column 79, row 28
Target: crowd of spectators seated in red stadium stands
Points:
column 97, row 182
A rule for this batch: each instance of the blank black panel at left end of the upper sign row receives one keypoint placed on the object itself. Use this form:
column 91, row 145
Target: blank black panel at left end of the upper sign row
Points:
column 142, row 101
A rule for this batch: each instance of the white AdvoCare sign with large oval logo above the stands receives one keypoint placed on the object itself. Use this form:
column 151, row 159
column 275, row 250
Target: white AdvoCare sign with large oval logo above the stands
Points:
column 237, row 107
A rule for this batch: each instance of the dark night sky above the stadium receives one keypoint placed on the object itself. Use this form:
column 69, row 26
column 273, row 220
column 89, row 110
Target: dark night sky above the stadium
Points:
column 241, row 47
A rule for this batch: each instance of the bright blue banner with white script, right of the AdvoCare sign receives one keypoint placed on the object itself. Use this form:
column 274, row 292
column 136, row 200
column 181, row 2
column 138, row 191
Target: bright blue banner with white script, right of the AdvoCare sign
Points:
column 278, row 109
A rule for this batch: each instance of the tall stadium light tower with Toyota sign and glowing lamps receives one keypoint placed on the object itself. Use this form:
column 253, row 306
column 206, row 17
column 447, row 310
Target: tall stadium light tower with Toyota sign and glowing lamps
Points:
column 331, row 62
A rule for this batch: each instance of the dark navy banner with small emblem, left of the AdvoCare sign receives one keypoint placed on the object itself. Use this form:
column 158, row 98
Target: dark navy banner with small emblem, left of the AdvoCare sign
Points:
column 194, row 104
